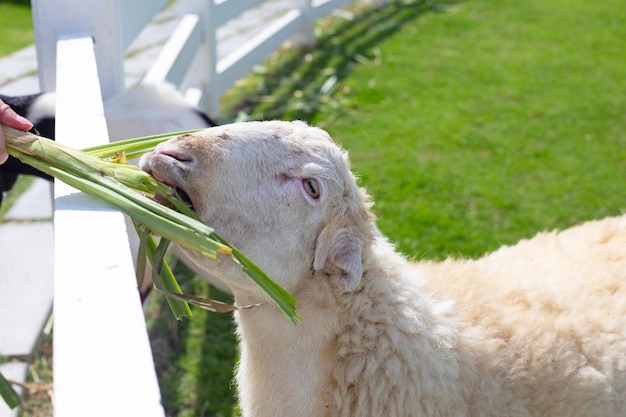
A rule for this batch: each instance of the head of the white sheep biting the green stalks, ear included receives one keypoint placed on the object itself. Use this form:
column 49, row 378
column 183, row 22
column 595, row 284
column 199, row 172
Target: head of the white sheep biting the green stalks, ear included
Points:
column 281, row 192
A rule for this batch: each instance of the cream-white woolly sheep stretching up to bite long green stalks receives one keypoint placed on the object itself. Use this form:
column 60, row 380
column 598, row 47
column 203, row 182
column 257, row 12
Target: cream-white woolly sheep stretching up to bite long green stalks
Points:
column 537, row 329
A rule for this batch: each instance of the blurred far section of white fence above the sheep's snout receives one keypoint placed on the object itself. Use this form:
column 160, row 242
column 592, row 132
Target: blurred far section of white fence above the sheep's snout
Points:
column 218, row 74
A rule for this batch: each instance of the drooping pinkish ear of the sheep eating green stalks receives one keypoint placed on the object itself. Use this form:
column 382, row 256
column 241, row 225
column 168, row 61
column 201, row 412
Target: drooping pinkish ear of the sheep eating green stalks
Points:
column 338, row 254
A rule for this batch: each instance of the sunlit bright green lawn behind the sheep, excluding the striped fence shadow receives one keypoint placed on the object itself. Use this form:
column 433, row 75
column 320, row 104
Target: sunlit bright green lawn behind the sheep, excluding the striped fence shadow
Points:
column 489, row 121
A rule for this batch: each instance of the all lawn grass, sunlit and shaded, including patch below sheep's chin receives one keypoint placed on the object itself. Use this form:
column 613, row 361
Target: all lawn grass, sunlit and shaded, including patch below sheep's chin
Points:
column 471, row 123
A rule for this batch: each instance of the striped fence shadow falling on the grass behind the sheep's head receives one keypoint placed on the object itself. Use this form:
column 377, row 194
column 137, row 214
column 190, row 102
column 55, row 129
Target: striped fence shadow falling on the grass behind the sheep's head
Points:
column 300, row 83
